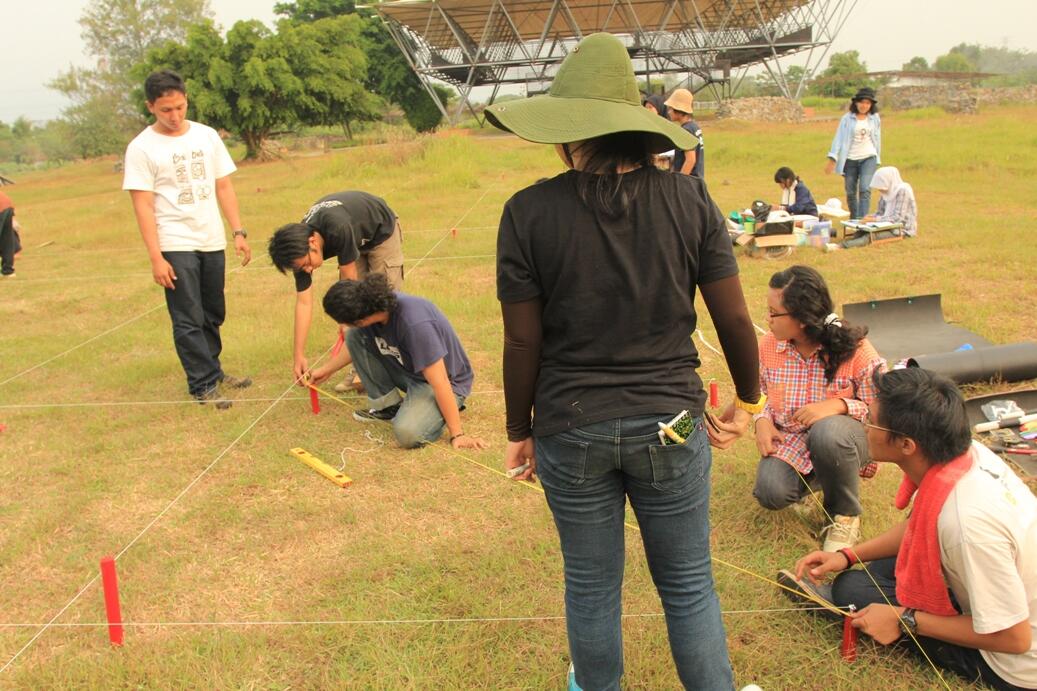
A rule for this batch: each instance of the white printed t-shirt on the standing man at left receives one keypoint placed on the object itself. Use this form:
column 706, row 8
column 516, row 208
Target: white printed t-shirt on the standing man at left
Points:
column 182, row 172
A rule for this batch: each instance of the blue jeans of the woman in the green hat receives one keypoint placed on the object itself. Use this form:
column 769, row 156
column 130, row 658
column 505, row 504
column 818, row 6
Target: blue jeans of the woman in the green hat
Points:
column 587, row 475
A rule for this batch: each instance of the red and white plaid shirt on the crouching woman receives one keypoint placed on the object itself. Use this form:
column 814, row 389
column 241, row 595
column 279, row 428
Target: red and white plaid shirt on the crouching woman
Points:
column 792, row 381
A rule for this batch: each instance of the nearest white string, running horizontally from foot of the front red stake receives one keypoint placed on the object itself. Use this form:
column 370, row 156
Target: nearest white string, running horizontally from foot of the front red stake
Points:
column 359, row 623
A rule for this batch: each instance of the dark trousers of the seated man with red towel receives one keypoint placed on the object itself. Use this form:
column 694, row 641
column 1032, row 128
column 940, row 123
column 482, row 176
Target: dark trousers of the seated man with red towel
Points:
column 855, row 588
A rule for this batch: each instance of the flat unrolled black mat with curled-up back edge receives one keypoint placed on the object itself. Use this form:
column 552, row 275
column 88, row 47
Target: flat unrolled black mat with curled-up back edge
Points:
column 906, row 327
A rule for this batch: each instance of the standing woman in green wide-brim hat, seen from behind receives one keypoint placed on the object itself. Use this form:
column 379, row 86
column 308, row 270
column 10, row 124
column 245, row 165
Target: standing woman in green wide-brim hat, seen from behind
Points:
column 597, row 272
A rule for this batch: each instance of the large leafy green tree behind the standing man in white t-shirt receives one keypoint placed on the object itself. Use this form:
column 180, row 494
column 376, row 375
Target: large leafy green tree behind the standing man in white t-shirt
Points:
column 258, row 82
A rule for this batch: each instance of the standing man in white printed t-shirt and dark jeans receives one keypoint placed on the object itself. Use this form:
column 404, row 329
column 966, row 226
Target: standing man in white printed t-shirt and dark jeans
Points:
column 178, row 174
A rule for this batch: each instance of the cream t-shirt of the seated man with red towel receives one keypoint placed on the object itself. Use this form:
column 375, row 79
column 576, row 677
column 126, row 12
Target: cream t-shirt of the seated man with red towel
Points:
column 989, row 548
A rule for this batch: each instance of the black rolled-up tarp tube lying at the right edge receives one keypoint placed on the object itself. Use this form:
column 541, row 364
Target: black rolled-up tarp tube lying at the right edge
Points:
column 1015, row 363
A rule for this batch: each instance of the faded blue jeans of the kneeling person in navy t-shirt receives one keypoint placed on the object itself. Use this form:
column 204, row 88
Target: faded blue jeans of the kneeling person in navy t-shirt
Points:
column 419, row 421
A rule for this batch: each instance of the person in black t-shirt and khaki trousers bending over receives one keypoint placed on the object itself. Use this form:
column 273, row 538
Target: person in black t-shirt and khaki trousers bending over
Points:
column 356, row 228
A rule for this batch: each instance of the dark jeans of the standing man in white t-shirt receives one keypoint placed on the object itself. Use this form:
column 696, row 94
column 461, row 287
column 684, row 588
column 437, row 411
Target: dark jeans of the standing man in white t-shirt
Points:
column 198, row 310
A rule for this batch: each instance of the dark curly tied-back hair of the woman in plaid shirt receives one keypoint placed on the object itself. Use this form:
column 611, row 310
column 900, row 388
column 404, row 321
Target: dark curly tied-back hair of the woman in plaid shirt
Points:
column 806, row 297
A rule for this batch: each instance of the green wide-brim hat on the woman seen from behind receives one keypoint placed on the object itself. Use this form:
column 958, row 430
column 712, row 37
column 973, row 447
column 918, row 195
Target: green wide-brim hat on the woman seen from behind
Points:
column 595, row 94
